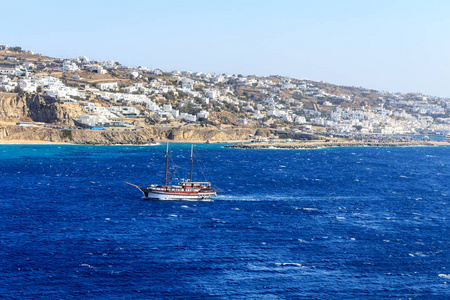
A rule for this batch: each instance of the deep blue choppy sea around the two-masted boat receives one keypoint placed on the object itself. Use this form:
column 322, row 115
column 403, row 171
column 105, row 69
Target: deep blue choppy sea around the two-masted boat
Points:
column 332, row 223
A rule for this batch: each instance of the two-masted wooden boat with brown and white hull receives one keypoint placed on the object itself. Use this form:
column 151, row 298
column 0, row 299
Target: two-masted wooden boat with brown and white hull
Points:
column 185, row 190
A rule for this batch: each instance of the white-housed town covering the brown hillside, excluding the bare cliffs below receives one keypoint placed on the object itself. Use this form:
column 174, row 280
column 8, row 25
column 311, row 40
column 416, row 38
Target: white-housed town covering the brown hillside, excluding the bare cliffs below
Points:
column 111, row 95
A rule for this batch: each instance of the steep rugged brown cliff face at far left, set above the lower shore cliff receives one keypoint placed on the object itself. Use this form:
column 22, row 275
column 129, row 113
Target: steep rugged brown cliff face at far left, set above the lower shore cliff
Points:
column 37, row 108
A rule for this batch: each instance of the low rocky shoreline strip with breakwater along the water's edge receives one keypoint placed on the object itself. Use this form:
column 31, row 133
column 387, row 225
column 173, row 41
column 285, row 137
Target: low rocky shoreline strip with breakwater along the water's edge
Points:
column 237, row 137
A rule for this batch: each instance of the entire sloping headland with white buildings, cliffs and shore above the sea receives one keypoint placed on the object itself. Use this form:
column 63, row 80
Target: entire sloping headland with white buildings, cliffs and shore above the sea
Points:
column 81, row 101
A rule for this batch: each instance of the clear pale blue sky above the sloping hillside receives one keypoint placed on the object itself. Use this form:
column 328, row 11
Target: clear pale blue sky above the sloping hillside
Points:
column 397, row 45
